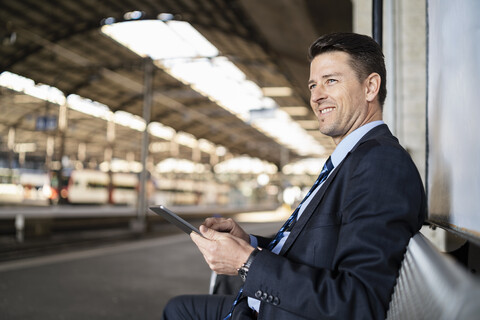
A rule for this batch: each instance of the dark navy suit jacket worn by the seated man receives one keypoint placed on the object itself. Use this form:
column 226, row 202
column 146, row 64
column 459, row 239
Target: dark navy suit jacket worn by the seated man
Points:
column 343, row 255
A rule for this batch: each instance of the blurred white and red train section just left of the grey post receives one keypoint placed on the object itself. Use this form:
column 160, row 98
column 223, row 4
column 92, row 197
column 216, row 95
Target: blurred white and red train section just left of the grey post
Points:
column 96, row 187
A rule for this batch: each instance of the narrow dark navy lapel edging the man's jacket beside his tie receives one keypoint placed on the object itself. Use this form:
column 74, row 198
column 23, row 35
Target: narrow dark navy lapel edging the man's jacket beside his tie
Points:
column 310, row 209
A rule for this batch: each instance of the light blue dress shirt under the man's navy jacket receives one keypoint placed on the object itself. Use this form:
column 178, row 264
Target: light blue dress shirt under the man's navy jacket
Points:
column 340, row 152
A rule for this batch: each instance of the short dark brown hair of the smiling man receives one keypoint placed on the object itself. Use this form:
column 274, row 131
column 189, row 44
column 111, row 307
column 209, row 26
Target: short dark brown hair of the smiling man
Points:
column 366, row 55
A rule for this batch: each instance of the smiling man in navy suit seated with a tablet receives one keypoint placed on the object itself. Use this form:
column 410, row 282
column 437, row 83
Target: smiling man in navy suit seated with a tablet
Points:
column 339, row 256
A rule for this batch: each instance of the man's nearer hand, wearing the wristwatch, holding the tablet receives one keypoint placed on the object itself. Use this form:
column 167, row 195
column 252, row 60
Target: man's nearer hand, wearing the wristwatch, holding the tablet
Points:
column 223, row 252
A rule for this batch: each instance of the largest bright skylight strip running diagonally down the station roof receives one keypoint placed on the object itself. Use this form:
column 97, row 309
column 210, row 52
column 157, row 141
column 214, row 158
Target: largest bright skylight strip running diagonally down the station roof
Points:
column 185, row 54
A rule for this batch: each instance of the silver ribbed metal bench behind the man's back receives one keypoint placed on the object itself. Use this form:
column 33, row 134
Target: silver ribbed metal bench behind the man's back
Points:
column 432, row 285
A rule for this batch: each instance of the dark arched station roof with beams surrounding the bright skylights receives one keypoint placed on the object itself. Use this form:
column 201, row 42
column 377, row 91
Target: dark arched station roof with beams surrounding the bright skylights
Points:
column 59, row 43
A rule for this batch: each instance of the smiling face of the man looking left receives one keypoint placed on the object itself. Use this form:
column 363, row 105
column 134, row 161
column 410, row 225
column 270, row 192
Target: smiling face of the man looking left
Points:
column 337, row 97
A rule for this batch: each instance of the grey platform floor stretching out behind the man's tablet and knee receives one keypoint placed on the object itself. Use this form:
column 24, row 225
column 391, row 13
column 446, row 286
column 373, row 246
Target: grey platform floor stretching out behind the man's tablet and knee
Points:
column 132, row 280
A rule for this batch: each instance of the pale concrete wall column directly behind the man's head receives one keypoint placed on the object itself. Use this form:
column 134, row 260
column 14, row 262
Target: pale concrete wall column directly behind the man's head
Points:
column 404, row 44
